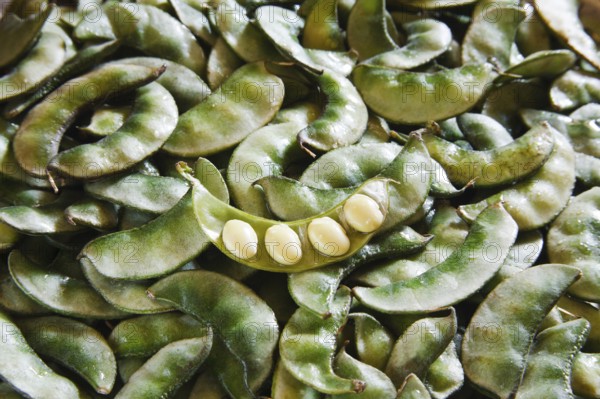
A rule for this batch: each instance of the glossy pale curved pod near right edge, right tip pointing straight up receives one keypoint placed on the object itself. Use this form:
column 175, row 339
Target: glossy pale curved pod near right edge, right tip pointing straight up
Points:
column 536, row 201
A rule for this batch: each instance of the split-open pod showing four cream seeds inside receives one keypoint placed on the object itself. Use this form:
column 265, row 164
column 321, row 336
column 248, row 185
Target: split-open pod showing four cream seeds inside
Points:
column 295, row 246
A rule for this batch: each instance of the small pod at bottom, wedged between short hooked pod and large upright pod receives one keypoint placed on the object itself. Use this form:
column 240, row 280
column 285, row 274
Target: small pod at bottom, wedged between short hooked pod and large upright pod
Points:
column 445, row 375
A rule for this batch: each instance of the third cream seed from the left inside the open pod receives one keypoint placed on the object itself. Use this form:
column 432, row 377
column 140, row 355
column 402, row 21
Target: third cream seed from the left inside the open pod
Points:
column 328, row 237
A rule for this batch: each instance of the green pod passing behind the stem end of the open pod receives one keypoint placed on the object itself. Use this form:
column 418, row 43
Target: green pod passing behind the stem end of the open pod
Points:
column 141, row 253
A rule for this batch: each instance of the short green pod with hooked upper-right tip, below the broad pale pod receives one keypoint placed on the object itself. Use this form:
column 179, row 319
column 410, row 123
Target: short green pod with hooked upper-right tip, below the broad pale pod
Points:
column 418, row 347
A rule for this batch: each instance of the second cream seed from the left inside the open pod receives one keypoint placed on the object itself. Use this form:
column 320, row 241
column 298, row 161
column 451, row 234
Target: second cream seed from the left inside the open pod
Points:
column 283, row 244
